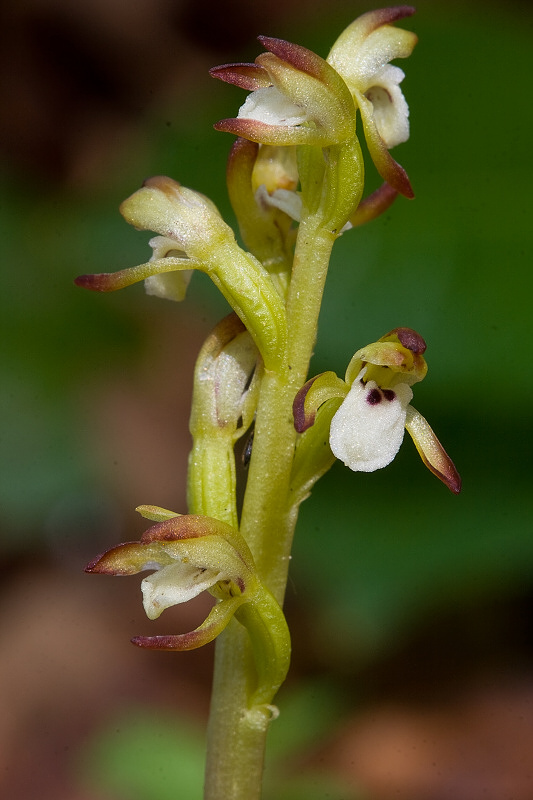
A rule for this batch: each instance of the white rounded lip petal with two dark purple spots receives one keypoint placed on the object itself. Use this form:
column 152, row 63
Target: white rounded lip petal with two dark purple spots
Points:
column 367, row 430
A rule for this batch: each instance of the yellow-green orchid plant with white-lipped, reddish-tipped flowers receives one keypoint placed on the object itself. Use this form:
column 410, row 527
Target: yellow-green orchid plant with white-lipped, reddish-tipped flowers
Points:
column 295, row 179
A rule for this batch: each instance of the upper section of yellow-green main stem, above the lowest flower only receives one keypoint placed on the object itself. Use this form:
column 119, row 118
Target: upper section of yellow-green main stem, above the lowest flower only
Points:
column 268, row 518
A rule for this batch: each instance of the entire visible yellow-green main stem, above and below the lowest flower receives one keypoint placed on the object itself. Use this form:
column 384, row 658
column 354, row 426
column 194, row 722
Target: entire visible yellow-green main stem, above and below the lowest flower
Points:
column 236, row 733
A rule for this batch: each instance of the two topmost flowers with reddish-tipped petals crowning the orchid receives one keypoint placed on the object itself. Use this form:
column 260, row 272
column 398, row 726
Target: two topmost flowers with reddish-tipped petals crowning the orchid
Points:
column 299, row 98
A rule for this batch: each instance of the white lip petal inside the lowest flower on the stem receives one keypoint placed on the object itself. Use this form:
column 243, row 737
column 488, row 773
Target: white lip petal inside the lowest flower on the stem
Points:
column 175, row 584
